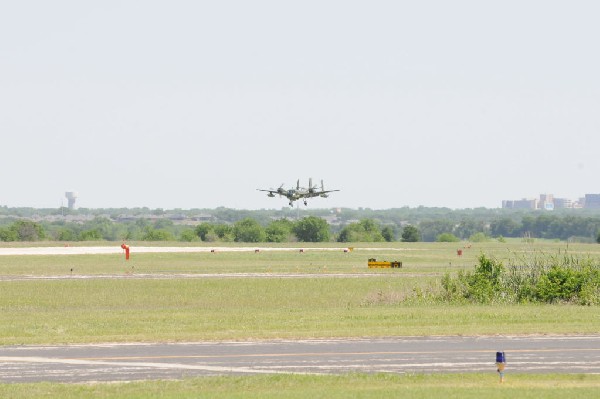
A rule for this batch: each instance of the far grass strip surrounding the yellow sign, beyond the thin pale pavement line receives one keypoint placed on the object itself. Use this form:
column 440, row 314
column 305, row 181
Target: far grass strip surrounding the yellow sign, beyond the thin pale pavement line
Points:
column 416, row 257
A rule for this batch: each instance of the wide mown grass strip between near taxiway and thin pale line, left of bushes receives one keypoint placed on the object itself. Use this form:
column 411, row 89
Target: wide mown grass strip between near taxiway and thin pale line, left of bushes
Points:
column 124, row 310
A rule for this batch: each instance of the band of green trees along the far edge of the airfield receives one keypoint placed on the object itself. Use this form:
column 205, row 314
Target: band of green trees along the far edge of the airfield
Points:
column 429, row 228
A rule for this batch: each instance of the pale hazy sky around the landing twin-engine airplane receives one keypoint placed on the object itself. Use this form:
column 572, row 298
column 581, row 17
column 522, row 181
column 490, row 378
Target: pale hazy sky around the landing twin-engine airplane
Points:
column 196, row 104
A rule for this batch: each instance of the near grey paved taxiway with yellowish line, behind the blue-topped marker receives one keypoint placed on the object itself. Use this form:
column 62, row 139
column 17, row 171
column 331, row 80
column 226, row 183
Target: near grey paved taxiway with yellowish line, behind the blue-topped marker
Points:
column 126, row 362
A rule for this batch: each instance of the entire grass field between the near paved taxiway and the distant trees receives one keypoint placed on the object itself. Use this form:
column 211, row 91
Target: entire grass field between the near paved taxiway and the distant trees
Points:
column 122, row 309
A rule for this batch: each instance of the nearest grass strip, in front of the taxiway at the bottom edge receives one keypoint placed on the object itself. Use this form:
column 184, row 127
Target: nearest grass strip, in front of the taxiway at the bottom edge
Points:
column 460, row 386
